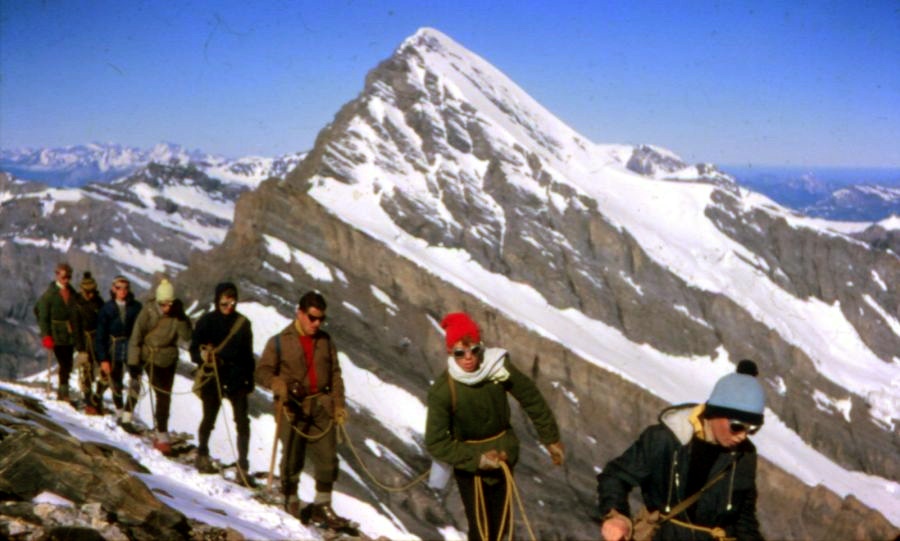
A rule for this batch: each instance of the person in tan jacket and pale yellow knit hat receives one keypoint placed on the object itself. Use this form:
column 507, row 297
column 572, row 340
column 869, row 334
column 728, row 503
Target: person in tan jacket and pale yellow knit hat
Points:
column 153, row 347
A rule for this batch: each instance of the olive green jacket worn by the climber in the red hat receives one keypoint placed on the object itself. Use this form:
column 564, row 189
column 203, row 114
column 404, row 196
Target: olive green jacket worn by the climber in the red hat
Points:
column 482, row 412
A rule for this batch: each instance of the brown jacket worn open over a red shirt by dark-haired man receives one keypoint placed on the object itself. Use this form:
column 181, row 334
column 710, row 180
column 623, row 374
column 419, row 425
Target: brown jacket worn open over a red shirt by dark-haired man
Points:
column 292, row 364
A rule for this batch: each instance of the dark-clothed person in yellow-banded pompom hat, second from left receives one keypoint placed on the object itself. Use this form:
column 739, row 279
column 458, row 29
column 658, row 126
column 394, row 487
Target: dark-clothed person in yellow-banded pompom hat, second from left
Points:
column 89, row 308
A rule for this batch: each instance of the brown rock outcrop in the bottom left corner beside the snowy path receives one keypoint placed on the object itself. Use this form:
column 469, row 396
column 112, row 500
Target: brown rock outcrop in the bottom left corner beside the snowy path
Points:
column 37, row 456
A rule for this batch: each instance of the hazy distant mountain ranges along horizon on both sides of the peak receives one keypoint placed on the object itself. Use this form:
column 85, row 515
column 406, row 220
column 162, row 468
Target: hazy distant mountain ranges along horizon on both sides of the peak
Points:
column 845, row 194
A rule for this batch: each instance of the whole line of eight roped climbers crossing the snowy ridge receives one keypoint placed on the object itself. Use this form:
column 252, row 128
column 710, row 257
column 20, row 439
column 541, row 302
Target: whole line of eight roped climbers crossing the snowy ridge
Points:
column 696, row 468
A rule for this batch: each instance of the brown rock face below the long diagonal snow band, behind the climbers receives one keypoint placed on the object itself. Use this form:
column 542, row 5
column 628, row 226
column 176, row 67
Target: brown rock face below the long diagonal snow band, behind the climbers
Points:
column 403, row 348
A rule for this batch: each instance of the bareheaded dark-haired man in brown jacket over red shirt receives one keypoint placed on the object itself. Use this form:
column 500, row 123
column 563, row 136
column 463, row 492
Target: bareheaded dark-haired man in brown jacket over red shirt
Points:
column 300, row 366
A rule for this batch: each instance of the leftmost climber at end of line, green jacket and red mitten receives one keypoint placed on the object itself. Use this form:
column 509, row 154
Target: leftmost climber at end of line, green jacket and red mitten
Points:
column 60, row 324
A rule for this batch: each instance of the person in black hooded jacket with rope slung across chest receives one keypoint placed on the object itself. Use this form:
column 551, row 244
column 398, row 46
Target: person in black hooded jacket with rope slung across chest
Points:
column 222, row 347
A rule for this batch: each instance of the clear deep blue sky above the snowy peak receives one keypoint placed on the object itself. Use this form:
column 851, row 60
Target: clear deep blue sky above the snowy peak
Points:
column 768, row 83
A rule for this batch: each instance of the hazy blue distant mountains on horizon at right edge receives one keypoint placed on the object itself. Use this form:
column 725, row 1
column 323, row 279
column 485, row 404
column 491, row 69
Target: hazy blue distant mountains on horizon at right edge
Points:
column 847, row 194
